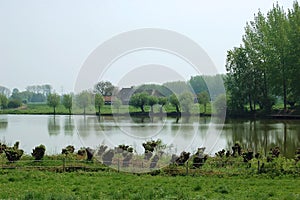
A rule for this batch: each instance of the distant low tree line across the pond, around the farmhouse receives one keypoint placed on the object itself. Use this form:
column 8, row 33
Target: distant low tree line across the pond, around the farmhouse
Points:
column 181, row 94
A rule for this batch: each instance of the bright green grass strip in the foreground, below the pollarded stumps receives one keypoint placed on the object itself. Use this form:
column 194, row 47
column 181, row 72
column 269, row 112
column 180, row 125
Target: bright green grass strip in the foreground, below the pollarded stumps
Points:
column 19, row 184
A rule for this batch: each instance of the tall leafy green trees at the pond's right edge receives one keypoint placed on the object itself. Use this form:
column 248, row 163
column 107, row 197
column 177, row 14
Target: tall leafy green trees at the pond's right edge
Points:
column 265, row 68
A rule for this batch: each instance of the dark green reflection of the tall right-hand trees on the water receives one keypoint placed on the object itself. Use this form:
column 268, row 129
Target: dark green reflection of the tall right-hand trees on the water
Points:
column 262, row 135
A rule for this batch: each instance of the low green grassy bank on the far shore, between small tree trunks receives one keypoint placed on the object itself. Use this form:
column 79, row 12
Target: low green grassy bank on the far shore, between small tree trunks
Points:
column 106, row 109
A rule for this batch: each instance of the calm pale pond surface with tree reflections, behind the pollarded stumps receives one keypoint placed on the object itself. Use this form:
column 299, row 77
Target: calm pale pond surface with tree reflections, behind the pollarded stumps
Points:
column 178, row 134
